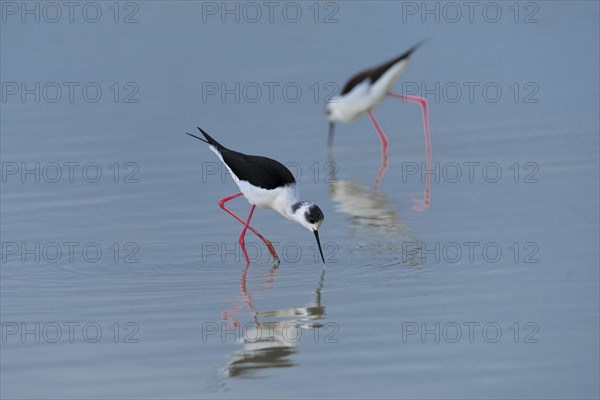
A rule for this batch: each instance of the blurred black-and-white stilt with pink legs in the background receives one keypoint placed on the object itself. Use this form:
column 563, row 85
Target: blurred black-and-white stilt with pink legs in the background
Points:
column 365, row 91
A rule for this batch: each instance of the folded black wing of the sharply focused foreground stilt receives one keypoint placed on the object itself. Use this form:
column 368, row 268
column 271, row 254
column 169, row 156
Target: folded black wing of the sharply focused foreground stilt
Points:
column 259, row 171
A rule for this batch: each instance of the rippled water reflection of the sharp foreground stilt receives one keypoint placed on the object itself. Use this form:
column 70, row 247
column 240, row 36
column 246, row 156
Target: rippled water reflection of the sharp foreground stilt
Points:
column 273, row 336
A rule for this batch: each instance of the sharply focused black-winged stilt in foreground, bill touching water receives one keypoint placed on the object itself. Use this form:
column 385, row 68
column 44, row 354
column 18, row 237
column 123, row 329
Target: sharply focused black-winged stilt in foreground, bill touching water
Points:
column 266, row 183
